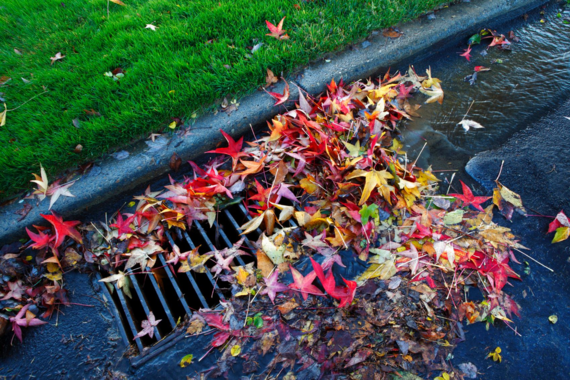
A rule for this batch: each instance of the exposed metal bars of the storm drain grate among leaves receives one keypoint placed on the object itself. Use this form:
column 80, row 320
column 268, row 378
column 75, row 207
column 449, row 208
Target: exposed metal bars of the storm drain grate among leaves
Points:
column 171, row 296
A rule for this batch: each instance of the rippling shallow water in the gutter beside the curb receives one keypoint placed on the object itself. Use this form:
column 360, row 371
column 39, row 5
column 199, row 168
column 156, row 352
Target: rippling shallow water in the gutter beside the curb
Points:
column 523, row 85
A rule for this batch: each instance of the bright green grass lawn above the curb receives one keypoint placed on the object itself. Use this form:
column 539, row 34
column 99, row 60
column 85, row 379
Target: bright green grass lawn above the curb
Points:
column 172, row 72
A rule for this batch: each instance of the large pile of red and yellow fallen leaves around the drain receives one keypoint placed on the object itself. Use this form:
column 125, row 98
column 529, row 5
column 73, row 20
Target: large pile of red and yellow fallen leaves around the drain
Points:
column 362, row 266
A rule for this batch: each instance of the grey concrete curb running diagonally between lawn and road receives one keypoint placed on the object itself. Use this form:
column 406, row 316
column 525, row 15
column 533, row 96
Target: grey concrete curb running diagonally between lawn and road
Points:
column 422, row 38
